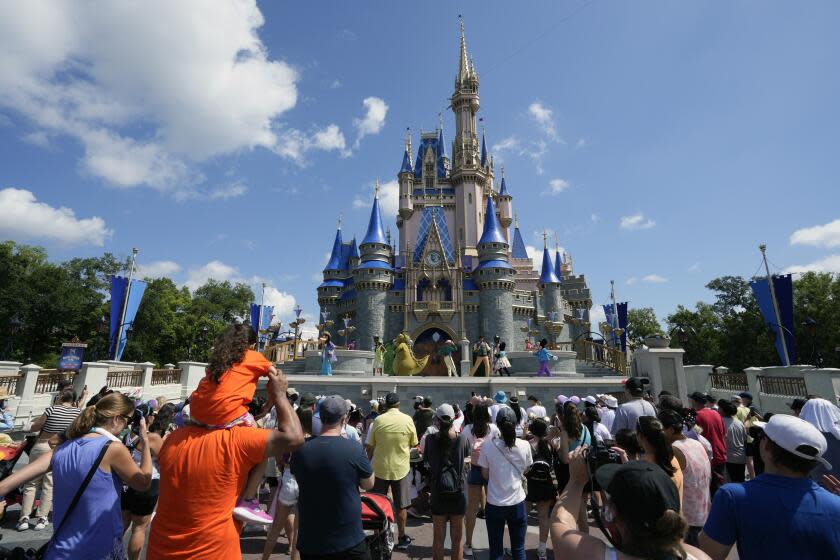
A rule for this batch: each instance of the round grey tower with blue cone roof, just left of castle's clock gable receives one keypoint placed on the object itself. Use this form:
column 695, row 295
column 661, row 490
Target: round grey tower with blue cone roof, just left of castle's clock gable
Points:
column 372, row 279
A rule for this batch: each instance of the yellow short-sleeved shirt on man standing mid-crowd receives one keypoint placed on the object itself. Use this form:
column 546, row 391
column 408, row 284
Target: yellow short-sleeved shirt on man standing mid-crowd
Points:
column 392, row 437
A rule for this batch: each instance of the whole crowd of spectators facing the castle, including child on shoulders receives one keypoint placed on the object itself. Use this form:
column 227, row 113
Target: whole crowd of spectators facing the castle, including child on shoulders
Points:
column 661, row 477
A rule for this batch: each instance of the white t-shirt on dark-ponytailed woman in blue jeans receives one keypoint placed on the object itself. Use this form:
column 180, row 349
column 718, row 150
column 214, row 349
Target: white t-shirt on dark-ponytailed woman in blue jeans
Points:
column 506, row 465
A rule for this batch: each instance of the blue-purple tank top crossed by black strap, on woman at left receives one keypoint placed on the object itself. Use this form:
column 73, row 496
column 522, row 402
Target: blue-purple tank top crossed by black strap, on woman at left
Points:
column 94, row 528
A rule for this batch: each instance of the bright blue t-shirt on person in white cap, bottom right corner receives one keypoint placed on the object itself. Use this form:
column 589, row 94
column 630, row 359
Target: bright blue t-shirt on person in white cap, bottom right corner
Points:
column 776, row 517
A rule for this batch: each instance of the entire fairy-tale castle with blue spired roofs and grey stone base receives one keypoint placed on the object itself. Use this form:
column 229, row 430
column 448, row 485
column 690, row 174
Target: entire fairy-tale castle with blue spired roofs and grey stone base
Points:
column 458, row 270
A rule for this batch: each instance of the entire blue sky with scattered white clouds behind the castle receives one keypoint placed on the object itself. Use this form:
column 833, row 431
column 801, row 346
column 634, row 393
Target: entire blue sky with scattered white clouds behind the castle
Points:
column 662, row 141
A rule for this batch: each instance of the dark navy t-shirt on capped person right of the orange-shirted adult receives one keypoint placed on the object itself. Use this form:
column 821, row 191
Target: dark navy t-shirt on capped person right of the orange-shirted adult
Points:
column 327, row 470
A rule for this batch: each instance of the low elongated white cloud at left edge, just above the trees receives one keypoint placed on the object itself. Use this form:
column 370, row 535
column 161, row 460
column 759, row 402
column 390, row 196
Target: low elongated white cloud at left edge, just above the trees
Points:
column 23, row 217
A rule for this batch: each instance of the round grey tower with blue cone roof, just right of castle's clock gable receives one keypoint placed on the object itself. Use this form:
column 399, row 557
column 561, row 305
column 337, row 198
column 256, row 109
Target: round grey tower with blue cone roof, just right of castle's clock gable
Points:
column 494, row 277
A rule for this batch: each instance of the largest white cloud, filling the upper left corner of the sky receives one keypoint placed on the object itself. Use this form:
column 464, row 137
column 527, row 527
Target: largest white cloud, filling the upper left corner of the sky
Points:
column 146, row 100
